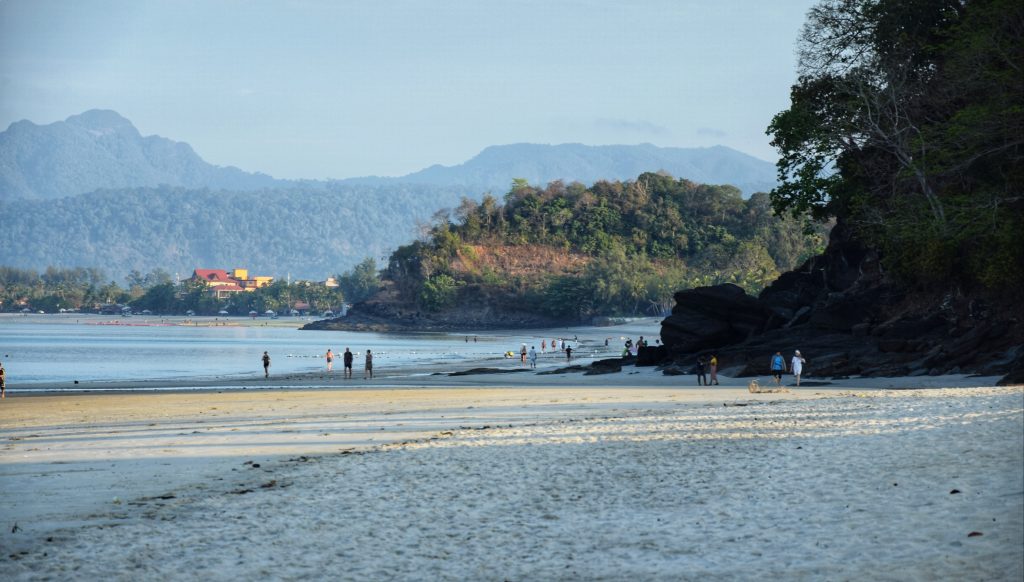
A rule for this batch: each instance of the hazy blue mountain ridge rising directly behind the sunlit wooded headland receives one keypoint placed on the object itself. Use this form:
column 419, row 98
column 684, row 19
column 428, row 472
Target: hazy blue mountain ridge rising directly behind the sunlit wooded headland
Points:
column 495, row 169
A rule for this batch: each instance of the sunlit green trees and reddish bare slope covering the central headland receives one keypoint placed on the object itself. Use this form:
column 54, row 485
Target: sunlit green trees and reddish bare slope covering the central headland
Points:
column 626, row 247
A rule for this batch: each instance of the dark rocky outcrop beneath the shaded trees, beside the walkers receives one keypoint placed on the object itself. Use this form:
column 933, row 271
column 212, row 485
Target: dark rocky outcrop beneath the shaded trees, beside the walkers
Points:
column 847, row 318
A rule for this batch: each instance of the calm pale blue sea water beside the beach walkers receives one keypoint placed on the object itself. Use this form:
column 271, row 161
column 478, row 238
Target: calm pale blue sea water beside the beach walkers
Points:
column 58, row 350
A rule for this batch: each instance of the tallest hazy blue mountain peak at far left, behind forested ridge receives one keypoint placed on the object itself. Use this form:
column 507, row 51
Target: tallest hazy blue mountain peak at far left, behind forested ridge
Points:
column 102, row 150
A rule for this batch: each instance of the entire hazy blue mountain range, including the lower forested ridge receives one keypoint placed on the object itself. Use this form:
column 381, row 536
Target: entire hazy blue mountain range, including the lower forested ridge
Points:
column 92, row 191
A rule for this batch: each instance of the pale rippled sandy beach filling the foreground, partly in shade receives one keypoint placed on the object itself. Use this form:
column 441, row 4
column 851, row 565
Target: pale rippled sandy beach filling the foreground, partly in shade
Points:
column 614, row 483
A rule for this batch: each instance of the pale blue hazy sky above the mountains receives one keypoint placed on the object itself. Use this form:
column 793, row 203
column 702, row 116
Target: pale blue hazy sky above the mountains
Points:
column 318, row 89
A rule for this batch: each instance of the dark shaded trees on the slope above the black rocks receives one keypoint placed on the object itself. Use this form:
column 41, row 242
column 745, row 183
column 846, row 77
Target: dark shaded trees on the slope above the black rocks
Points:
column 908, row 123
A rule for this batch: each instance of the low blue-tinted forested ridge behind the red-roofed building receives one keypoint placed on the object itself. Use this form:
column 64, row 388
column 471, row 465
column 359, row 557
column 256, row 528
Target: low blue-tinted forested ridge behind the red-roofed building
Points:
column 309, row 233
